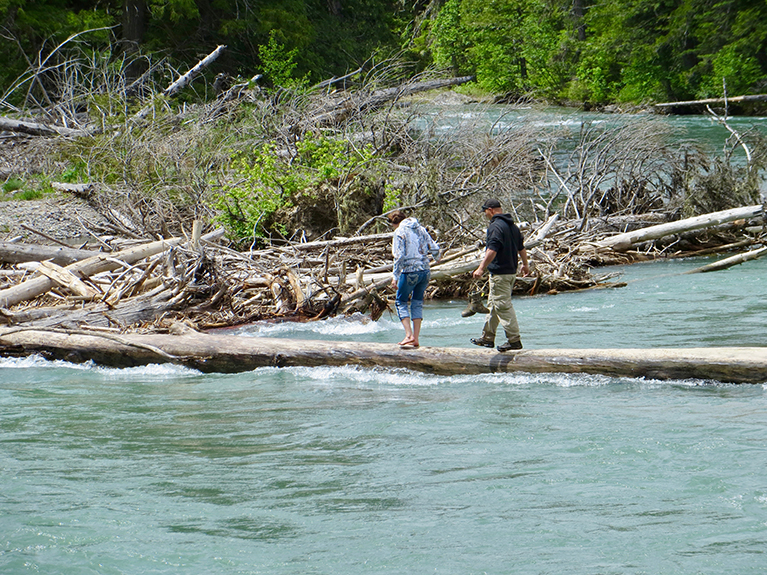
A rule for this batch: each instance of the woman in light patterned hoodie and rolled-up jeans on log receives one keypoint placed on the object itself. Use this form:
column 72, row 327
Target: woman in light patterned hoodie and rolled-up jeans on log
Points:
column 411, row 247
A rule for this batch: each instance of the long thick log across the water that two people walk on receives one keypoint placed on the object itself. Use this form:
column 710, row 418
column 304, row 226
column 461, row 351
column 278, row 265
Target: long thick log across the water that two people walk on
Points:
column 226, row 353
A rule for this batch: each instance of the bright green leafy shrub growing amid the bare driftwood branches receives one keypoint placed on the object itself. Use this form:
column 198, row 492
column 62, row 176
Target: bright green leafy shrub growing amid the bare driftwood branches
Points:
column 267, row 182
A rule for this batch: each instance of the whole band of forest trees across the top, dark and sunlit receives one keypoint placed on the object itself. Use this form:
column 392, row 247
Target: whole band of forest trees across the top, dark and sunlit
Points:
column 580, row 50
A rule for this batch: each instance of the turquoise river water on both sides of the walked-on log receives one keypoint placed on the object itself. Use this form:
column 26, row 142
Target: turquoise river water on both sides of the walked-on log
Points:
column 350, row 471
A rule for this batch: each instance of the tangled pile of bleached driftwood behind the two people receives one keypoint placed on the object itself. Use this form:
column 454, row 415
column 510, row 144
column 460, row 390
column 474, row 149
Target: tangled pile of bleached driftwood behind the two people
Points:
column 197, row 282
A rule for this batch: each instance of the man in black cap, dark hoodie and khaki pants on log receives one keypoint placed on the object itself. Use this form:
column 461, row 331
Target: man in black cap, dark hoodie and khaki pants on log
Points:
column 503, row 250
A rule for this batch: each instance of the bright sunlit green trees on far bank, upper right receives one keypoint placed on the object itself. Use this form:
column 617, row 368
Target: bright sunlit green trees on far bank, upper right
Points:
column 625, row 50
